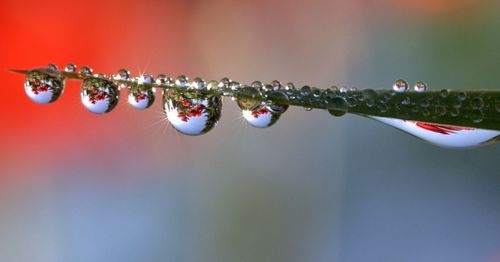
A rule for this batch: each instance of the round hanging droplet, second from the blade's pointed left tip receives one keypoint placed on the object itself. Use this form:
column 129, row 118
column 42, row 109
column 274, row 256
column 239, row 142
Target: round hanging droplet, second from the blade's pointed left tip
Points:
column 99, row 95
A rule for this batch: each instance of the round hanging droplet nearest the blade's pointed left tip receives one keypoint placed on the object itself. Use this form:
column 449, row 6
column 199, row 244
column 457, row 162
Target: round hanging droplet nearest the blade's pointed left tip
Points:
column 43, row 87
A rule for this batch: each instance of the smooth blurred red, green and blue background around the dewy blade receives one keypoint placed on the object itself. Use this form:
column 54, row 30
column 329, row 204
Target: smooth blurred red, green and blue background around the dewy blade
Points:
column 126, row 186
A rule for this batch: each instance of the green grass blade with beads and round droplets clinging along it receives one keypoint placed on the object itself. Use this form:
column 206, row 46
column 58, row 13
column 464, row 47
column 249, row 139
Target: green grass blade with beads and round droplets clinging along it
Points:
column 194, row 107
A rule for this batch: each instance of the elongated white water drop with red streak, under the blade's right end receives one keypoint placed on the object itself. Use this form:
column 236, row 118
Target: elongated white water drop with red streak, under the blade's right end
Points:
column 443, row 135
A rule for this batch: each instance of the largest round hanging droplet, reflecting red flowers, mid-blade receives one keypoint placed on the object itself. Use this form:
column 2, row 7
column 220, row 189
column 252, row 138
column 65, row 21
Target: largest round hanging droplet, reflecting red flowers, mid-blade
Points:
column 191, row 112
